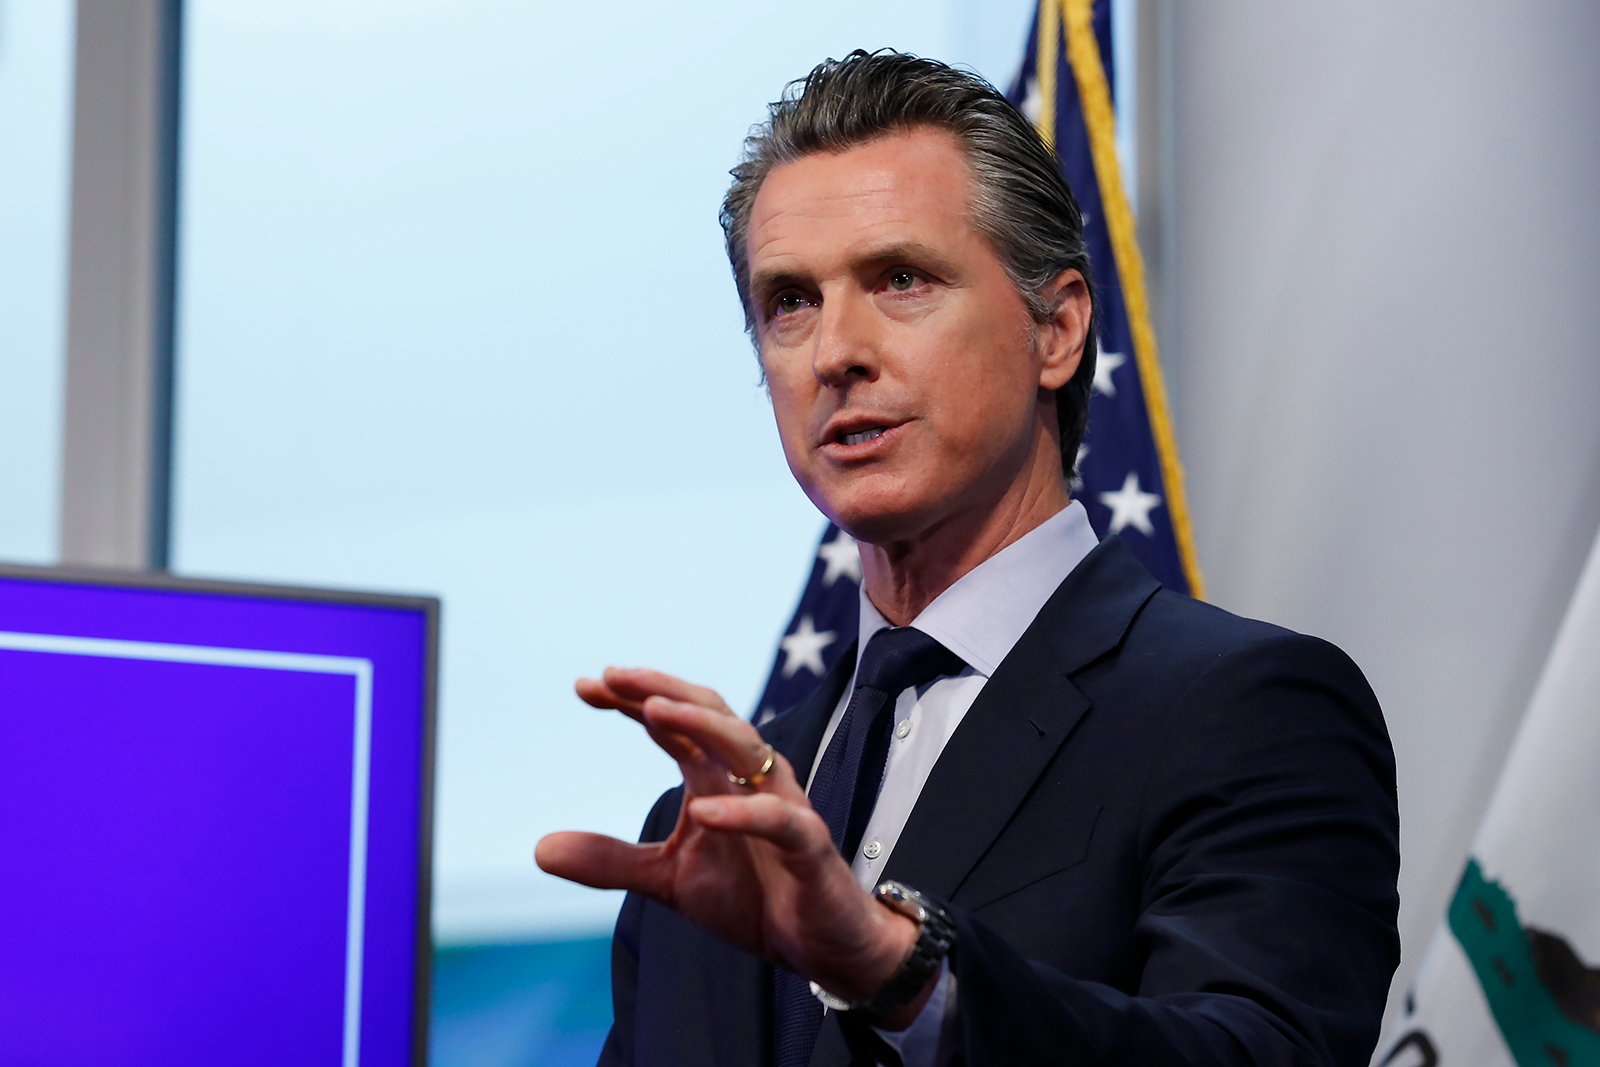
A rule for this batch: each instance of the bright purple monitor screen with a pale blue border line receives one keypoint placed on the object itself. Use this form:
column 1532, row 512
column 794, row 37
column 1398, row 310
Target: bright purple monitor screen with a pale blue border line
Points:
column 210, row 826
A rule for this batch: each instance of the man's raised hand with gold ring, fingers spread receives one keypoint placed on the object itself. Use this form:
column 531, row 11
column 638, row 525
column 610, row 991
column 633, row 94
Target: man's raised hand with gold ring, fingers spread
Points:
column 751, row 865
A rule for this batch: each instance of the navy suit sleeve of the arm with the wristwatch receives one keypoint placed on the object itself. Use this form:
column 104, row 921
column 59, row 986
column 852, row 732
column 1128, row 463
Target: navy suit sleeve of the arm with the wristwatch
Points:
column 1270, row 849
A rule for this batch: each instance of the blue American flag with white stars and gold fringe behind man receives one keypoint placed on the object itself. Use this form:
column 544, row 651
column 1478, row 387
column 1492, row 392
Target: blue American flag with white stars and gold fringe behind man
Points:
column 1129, row 474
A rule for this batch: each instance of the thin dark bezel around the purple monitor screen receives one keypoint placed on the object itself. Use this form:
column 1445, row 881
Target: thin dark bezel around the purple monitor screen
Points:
column 431, row 609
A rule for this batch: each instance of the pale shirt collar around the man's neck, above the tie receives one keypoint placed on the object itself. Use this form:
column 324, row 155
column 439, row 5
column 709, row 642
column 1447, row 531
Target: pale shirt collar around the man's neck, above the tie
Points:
column 988, row 610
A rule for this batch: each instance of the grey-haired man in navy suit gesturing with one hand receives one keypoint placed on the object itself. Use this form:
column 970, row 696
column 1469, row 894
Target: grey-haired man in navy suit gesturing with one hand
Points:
column 1105, row 825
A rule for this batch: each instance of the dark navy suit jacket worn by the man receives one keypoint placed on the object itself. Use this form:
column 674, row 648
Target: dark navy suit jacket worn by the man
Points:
column 1167, row 836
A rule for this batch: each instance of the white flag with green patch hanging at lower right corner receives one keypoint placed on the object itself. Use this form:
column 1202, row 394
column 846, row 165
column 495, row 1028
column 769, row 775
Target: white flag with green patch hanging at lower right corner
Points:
column 1513, row 975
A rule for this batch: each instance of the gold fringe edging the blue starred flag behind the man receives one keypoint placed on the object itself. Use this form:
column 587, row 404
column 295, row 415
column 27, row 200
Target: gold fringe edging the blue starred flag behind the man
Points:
column 1100, row 119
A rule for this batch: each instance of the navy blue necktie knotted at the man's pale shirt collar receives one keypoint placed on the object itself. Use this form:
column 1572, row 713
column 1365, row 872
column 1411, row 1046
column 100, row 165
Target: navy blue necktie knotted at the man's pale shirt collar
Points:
column 846, row 789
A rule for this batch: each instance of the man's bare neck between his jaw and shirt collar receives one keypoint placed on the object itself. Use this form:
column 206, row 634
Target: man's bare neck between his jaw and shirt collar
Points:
column 905, row 577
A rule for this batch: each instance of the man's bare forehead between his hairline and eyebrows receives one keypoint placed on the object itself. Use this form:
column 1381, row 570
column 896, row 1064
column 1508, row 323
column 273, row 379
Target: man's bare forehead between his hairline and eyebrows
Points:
column 900, row 190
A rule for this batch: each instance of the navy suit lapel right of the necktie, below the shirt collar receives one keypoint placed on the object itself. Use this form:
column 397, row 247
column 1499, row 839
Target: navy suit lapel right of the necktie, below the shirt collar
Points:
column 1018, row 724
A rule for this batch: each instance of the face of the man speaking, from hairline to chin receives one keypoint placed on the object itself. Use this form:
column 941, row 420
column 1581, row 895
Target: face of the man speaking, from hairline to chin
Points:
column 903, row 364
